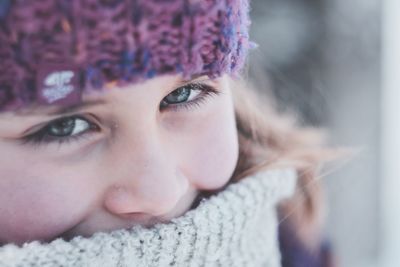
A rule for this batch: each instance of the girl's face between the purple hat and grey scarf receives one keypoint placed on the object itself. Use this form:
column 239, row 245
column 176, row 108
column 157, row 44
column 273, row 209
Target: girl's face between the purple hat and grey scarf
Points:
column 128, row 156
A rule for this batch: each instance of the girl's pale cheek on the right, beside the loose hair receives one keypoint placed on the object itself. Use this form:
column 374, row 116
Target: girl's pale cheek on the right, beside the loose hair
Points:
column 211, row 151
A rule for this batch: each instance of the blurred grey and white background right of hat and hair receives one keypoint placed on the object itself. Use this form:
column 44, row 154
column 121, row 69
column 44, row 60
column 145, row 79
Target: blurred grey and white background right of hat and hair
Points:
column 335, row 62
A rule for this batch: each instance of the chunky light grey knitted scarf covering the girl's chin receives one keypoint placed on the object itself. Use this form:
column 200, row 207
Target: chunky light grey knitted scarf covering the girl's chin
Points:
column 236, row 227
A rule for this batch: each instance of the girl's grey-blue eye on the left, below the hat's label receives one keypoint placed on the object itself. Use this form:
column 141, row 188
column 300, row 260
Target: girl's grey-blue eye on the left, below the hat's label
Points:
column 62, row 130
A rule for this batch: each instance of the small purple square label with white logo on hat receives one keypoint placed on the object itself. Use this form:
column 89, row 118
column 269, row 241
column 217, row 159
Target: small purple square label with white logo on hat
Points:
column 58, row 84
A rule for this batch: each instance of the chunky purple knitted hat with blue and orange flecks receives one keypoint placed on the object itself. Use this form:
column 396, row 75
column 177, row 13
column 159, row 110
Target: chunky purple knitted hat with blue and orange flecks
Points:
column 53, row 50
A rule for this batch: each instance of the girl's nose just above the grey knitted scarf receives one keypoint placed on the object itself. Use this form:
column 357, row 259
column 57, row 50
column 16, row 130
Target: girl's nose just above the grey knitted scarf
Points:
column 146, row 180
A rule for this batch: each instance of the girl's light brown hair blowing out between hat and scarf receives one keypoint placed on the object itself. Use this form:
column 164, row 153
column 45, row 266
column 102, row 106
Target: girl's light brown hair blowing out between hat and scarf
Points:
column 269, row 140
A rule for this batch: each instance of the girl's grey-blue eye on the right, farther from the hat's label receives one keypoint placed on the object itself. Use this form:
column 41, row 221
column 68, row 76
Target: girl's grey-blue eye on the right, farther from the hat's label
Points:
column 188, row 95
